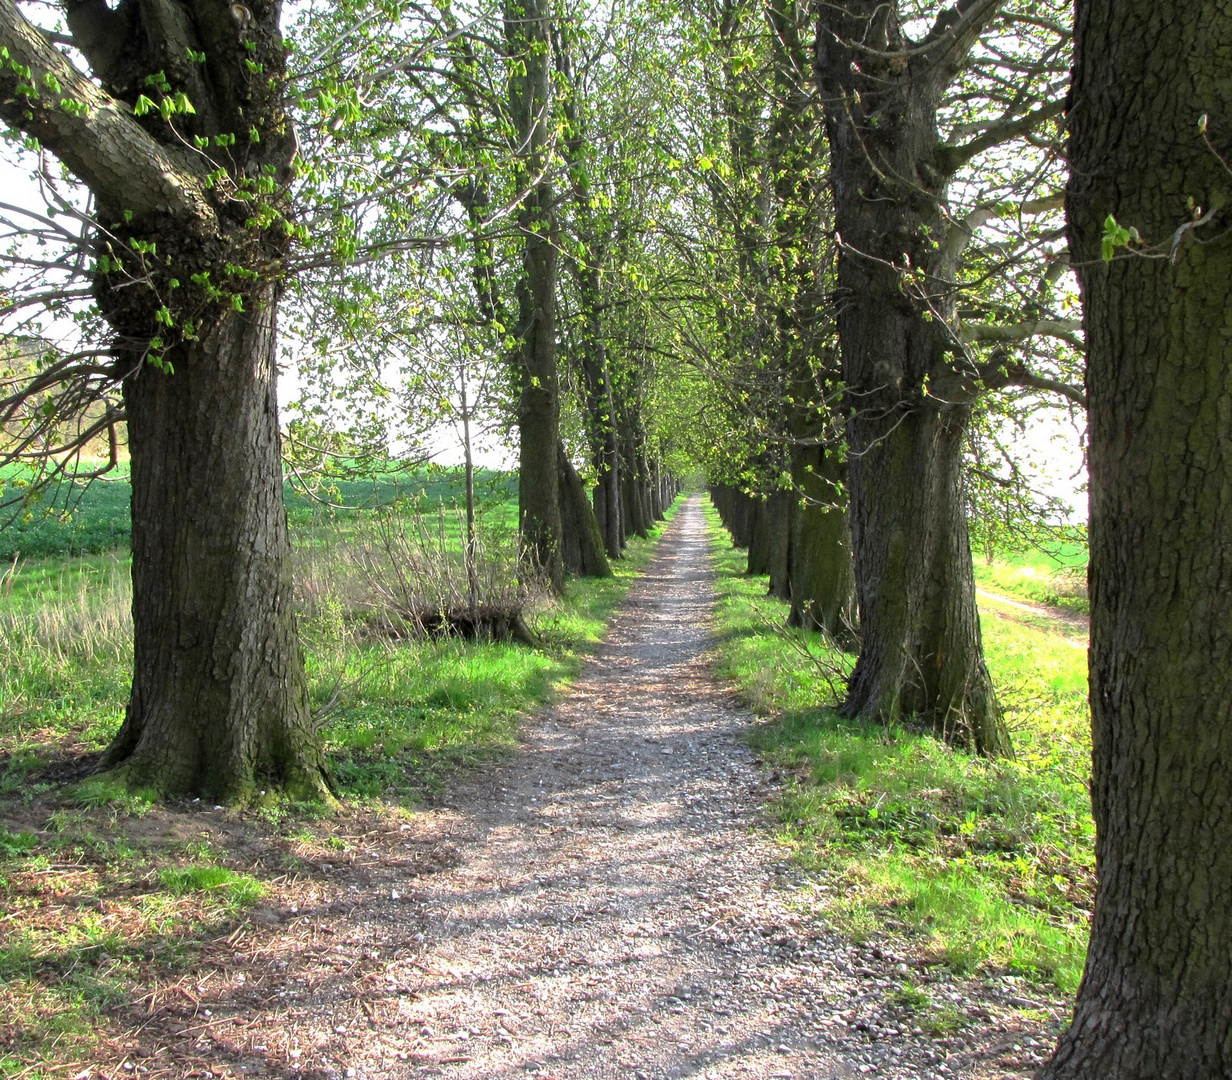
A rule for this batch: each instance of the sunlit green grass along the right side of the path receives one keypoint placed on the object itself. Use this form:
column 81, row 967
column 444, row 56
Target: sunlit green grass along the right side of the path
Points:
column 984, row 866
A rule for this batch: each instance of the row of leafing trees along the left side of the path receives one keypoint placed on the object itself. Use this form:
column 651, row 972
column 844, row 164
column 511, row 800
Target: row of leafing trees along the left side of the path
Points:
column 216, row 178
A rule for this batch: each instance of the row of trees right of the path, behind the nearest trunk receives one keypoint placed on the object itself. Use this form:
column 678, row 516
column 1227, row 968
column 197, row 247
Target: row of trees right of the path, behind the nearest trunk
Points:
column 905, row 269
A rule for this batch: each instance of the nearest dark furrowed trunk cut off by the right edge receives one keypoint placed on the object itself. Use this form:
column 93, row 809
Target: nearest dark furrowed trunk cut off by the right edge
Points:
column 1156, row 997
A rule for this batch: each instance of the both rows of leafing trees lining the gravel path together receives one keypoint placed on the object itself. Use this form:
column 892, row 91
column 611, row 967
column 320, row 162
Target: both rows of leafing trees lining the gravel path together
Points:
column 804, row 247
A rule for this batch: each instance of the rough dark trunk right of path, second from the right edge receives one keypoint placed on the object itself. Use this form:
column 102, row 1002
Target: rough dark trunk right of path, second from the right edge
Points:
column 921, row 648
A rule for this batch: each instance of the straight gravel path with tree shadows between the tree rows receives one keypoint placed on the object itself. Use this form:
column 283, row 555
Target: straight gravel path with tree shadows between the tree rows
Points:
column 612, row 906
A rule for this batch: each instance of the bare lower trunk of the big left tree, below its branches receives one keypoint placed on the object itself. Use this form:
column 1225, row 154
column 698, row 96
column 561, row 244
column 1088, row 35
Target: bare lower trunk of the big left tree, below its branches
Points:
column 220, row 701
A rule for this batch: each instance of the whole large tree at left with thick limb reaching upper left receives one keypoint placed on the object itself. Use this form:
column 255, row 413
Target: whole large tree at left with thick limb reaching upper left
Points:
column 188, row 152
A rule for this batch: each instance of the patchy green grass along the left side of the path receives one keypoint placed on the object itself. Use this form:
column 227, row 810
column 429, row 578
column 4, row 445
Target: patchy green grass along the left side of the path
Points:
column 107, row 893
